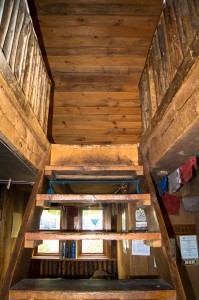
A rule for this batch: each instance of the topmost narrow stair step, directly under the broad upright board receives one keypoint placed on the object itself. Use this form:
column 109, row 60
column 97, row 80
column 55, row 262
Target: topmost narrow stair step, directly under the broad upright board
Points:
column 93, row 172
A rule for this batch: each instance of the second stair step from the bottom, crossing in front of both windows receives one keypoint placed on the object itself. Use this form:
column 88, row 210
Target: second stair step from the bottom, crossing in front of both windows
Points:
column 59, row 235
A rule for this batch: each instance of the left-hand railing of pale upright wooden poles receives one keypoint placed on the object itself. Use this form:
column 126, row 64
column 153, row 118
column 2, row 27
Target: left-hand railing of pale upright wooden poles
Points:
column 21, row 63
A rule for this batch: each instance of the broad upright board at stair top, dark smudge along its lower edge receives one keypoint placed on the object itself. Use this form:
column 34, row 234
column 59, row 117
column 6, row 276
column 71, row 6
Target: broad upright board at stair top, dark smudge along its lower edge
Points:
column 94, row 155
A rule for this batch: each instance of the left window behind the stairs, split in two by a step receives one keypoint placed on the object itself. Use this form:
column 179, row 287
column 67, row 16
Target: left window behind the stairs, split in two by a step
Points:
column 50, row 220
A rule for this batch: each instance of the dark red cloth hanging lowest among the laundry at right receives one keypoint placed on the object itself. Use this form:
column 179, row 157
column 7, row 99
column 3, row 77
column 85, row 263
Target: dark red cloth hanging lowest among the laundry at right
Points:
column 171, row 203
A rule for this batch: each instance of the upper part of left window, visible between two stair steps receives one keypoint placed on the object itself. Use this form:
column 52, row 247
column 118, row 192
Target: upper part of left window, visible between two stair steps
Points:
column 50, row 219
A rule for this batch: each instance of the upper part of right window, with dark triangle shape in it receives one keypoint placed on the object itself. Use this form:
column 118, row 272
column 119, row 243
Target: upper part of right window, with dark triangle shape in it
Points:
column 92, row 219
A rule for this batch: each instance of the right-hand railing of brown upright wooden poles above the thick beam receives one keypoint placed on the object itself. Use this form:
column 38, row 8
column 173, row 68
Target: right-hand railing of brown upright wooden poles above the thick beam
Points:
column 173, row 51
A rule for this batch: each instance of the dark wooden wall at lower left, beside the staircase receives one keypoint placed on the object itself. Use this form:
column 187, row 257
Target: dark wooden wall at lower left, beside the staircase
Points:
column 11, row 201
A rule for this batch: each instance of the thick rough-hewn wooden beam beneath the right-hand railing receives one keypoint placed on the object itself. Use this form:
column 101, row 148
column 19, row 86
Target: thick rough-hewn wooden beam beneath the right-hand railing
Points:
column 174, row 138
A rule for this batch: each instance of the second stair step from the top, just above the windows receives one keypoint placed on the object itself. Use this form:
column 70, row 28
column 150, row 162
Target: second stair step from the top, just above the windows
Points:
column 47, row 199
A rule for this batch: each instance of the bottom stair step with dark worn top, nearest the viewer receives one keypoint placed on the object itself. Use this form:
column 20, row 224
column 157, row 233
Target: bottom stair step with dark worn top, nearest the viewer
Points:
column 96, row 289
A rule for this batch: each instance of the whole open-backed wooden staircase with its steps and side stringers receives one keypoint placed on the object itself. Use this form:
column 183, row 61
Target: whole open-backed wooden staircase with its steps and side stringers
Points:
column 166, row 286
